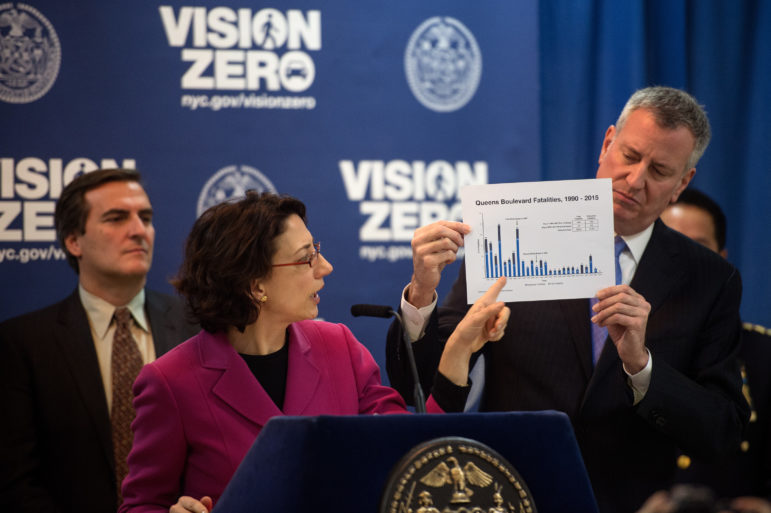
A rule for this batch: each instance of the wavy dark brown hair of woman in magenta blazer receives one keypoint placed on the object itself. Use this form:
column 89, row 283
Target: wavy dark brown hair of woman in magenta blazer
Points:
column 230, row 246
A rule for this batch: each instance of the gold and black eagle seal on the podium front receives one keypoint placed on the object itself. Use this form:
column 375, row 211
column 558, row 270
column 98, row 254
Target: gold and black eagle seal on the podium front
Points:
column 455, row 475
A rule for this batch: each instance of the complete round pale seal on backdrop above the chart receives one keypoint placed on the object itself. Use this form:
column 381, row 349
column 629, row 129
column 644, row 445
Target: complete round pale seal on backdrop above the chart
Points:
column 443, row 64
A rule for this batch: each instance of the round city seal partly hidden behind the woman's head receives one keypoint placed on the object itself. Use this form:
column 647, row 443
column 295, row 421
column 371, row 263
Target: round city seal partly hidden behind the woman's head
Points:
column 231, row 183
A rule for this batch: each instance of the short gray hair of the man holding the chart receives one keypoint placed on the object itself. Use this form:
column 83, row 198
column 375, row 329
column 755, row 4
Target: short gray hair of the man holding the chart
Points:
column 672, row 108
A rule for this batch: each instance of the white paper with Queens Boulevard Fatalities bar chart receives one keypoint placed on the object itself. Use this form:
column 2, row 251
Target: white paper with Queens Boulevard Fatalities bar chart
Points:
column 553, row 240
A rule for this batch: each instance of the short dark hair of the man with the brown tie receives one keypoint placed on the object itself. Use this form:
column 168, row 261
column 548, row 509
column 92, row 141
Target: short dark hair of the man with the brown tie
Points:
column 72, row 209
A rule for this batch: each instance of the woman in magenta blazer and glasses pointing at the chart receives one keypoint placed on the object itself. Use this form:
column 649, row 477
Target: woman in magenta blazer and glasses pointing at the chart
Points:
column 251, row 276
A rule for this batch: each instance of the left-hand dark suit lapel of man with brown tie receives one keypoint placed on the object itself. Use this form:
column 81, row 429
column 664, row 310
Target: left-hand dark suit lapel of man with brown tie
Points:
column 75, row 342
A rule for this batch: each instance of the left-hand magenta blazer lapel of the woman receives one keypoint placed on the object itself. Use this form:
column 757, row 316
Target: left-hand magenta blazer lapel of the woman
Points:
column 236, row 385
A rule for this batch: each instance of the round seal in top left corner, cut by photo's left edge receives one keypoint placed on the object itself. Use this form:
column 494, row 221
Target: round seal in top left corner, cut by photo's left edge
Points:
column 30, row 53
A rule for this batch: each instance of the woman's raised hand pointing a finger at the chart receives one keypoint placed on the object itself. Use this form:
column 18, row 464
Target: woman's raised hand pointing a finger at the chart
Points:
column 485, row 321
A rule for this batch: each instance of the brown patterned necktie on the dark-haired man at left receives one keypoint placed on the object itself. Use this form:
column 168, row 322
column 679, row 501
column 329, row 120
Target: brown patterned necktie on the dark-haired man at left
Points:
column 125, row 365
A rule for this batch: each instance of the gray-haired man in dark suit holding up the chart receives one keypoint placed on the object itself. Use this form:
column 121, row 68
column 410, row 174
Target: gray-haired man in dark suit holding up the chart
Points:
column 667, row 375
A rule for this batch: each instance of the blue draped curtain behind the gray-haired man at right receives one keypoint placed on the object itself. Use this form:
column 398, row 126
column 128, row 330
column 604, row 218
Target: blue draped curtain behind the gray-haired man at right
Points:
column 594, row 54
